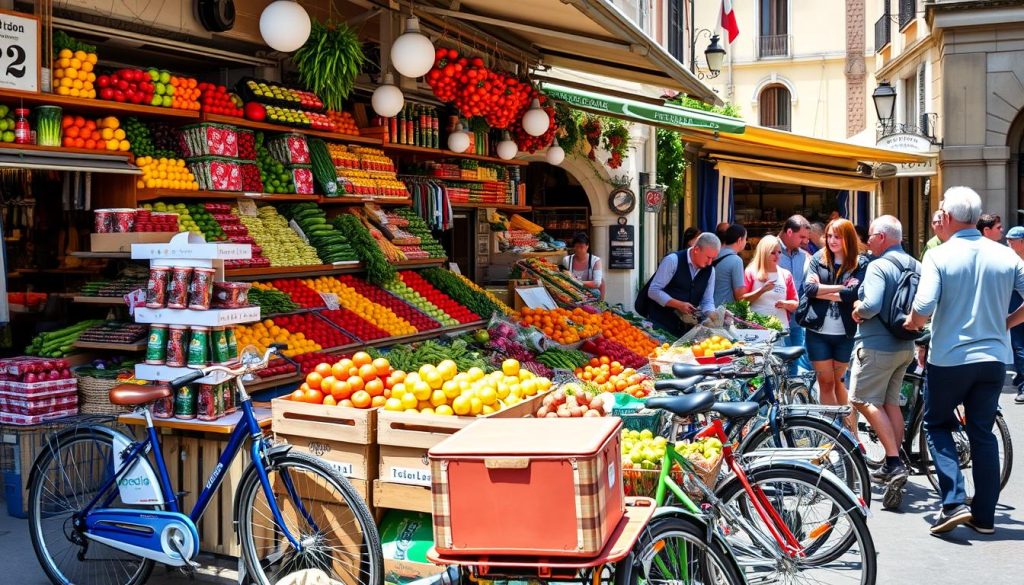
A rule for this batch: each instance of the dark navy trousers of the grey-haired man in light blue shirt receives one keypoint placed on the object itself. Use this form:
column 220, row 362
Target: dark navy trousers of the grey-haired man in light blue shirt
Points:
column 977, row 387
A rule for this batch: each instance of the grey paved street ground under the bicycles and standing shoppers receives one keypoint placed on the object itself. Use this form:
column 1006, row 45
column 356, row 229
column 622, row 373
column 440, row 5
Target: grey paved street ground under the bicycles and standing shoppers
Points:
column 908, row 554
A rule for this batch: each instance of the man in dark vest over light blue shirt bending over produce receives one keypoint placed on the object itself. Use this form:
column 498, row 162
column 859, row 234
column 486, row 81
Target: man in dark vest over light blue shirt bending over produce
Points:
column 677, row 290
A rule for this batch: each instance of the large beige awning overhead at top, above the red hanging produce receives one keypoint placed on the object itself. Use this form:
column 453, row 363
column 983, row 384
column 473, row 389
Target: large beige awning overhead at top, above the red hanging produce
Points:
column 591, row 36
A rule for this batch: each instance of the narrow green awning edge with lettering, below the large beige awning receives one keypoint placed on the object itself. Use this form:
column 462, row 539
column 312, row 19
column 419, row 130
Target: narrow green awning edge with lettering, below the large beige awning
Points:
column 671, row 117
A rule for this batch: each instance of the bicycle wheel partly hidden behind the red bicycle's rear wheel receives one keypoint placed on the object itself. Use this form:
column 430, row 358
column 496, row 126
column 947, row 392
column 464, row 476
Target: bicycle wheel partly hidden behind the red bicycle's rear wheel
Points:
column 845, row 459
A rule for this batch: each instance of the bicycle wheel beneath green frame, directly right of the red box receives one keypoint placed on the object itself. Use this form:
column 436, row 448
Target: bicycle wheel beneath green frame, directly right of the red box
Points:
column 674, row 550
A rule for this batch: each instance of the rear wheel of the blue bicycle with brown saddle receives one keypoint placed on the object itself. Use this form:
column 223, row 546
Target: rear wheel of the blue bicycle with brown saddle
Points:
column 66, row 478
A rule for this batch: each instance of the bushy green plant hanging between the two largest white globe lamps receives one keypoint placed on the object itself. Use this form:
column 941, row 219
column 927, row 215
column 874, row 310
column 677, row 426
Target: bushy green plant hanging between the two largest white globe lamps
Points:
column 330, row 62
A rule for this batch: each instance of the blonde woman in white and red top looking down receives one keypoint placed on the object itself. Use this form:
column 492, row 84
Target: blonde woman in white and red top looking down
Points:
column 771, row 289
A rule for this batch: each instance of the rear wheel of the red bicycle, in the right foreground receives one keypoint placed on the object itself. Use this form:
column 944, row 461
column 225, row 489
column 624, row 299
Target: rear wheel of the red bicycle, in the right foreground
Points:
column 837, row 545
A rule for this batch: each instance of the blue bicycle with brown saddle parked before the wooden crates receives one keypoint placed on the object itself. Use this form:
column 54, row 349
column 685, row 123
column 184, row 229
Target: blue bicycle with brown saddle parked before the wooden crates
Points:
column 100, row 511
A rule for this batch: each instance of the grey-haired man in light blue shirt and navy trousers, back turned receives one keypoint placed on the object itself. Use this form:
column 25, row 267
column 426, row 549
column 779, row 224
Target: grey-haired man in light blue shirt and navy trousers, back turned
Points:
column 965, row 290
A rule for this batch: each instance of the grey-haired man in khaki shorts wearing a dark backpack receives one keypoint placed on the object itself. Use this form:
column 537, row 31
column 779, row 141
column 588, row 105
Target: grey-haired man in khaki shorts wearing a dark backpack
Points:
column 883, row 349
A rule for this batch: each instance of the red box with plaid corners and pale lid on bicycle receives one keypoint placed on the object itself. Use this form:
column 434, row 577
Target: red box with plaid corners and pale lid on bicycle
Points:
column 553, row 486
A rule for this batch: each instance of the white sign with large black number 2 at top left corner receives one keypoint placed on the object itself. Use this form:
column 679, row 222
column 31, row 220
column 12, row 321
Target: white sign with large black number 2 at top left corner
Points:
column 19, row 52
